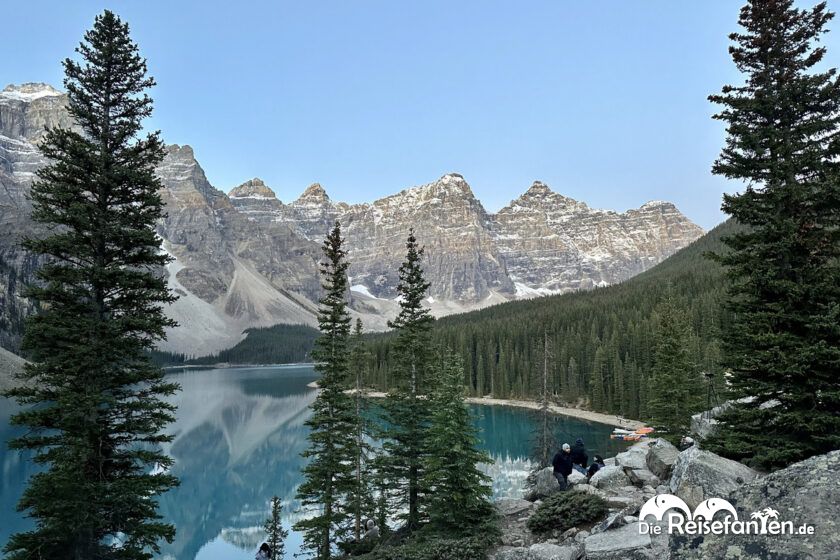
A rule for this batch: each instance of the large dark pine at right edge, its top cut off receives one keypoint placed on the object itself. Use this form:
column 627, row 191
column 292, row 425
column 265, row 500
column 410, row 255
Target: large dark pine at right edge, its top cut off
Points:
column 783, row 345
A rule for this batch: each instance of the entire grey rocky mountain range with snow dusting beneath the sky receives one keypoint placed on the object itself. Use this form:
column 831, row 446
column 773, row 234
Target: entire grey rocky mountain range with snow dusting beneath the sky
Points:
column 247, row 259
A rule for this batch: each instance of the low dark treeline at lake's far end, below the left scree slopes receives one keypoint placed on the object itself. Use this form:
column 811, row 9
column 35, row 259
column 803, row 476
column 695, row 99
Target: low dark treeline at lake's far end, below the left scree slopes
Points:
column 279, row 344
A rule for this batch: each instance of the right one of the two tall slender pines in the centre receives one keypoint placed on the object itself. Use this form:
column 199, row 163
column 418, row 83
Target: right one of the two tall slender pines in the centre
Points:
column 406, row 415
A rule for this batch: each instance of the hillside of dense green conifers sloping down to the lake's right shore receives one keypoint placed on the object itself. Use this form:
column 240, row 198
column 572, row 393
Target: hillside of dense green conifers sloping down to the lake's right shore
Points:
column 602, row 344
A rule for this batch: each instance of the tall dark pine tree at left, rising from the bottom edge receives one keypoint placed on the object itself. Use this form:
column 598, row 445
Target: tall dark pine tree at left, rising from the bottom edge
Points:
column 93, row 403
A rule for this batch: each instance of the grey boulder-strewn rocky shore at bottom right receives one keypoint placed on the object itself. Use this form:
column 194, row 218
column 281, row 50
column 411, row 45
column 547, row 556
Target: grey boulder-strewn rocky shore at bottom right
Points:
column 805, row 492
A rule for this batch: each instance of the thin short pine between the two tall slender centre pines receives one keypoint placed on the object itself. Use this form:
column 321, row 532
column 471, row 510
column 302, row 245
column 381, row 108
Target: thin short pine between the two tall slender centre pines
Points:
column 361, row 500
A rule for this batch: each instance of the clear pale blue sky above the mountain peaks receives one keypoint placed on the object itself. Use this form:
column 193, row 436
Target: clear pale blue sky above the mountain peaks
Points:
column 603, row 100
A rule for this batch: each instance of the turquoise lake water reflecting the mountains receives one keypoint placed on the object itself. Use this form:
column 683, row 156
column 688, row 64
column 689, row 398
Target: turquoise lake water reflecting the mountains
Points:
column 238, row 437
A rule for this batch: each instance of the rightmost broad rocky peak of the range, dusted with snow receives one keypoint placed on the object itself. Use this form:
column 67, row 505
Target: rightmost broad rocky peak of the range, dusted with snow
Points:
column 550, row 243
